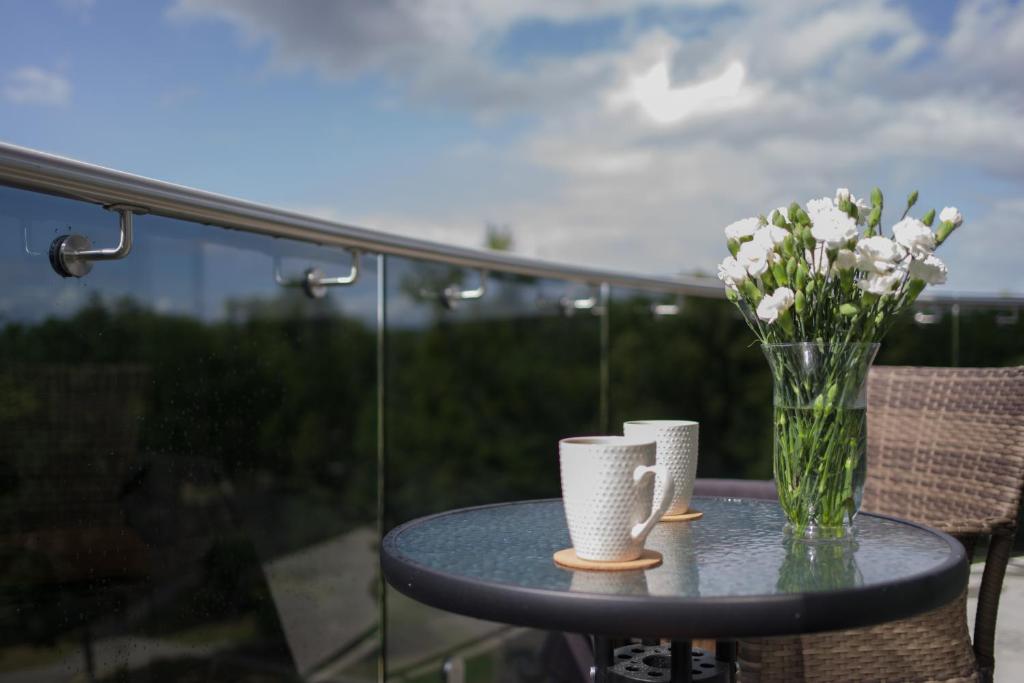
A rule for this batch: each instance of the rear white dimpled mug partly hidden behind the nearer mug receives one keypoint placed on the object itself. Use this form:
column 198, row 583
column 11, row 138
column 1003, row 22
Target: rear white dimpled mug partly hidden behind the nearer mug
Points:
column 677, row 450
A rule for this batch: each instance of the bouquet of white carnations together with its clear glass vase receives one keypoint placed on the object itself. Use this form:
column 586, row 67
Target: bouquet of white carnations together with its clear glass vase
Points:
column 820, row 286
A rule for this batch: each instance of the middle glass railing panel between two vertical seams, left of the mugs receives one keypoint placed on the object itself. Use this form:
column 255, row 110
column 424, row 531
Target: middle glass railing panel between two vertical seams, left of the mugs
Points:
column 478, row 397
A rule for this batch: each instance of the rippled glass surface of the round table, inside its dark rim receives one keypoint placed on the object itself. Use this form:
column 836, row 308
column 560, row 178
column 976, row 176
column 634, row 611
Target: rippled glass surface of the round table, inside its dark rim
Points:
column 740, row 548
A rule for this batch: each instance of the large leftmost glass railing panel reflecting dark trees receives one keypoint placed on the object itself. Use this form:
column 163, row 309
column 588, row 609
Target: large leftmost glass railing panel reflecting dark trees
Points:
column 188, row 475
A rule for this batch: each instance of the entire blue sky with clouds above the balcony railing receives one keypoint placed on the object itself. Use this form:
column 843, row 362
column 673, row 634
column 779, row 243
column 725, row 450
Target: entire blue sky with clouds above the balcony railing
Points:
column 608, row 134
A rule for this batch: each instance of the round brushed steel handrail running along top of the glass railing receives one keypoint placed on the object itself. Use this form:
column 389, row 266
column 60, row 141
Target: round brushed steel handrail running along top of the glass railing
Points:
column 39, row 172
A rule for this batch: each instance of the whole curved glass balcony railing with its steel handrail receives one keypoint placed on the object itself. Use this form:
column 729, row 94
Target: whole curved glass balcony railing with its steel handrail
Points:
column 199, row 458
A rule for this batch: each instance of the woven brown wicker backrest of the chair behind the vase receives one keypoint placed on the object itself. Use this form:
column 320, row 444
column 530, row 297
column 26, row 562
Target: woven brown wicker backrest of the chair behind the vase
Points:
column 947, row 446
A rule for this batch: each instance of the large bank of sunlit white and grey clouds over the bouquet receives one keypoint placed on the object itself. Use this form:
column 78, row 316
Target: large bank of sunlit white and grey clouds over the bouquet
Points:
column 671, row 132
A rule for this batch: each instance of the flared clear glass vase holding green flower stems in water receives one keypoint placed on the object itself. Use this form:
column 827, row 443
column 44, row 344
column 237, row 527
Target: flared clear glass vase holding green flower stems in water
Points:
column 821, row 434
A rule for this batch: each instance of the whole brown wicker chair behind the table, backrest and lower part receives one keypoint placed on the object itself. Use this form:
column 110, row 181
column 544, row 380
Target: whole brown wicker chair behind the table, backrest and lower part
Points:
column 946, row 449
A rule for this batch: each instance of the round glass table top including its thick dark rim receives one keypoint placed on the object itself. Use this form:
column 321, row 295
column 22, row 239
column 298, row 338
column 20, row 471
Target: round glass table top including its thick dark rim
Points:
column 734, row 574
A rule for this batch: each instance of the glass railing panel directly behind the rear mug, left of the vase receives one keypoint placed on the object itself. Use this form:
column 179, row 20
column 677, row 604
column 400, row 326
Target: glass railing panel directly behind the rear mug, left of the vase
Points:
column 693, row 359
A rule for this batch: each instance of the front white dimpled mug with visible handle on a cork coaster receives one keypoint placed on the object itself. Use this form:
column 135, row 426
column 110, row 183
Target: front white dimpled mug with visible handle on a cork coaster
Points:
column 609, row 494
